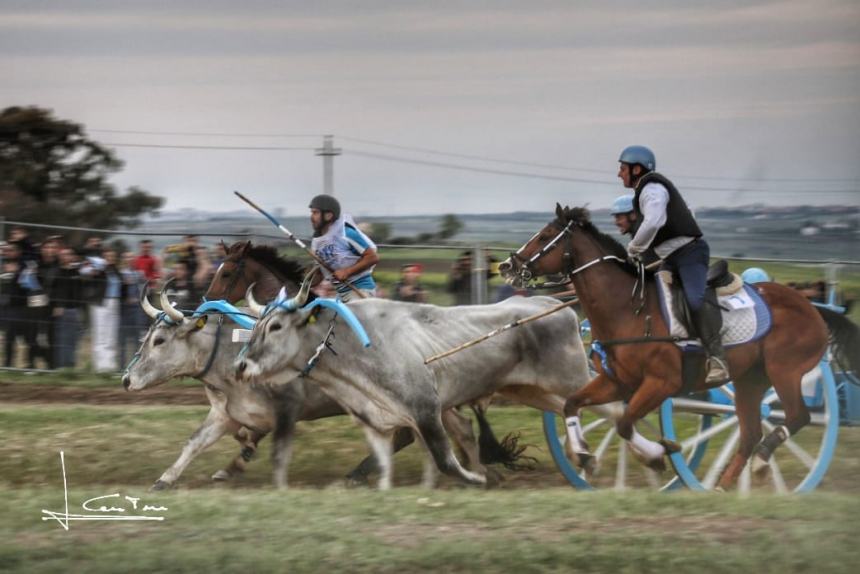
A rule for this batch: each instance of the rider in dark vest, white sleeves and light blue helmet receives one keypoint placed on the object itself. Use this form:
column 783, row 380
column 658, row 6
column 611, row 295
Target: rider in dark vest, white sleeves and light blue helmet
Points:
column 665, row 225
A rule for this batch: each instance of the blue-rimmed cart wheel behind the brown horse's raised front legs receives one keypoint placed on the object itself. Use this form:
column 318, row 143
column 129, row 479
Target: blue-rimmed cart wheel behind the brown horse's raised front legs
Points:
column 616, row 466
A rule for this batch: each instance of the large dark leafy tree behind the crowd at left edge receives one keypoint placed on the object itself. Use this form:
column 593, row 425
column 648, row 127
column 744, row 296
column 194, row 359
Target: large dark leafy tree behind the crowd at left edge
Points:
column 50, row 172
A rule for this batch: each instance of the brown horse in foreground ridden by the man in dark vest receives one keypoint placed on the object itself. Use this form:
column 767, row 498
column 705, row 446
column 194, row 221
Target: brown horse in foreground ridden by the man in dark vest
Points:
column 645, row 364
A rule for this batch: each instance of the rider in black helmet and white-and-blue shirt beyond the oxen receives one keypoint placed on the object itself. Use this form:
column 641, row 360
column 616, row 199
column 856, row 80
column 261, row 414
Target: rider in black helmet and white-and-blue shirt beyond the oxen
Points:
column 343, row 247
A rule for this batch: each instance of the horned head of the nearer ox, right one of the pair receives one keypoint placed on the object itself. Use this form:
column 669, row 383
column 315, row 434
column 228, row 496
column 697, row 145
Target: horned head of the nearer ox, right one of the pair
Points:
column 277, row 336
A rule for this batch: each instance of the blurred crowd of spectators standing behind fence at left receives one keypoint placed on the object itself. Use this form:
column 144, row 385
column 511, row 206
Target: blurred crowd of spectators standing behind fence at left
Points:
column 53, row 295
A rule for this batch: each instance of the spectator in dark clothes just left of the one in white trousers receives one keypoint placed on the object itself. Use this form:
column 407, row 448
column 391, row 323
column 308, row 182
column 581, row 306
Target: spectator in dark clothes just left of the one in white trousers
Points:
column 66, row 296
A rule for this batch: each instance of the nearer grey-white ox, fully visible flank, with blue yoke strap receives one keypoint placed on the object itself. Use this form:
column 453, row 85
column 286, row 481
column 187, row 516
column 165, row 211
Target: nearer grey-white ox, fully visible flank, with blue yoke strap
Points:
column 387, row 386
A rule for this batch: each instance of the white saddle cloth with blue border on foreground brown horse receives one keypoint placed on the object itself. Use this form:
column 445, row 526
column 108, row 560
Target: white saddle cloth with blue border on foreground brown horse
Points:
column 746, row 316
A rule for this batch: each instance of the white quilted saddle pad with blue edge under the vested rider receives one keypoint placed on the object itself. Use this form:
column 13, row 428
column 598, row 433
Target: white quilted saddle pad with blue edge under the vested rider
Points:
column 746, row 317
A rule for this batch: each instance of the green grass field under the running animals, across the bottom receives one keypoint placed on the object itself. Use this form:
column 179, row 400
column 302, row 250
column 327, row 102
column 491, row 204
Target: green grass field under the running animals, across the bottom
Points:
column 531, row 523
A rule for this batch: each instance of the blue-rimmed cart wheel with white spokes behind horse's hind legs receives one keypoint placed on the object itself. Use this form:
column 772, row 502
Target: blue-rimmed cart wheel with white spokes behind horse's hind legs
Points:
column 798, row 465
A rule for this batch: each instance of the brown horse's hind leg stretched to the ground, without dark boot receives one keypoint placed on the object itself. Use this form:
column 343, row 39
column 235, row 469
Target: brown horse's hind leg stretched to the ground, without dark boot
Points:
column 749, row 391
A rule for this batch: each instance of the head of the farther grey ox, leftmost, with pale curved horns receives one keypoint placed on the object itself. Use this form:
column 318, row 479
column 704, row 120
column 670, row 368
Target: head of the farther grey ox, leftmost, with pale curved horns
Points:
column 174, row 346
